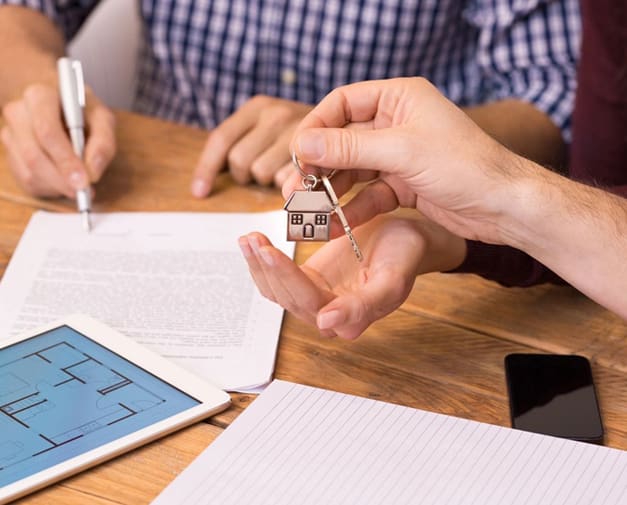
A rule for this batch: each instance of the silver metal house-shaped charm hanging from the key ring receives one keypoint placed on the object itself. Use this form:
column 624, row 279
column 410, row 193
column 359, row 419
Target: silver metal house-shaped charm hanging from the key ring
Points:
column 308, row 215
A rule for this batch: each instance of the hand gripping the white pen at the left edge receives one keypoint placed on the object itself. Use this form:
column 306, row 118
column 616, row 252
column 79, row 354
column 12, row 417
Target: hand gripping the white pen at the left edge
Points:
column 39, row 150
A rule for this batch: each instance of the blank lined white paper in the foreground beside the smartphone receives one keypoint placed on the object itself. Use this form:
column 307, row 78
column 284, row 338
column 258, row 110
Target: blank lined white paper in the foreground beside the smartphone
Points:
column 301, row 445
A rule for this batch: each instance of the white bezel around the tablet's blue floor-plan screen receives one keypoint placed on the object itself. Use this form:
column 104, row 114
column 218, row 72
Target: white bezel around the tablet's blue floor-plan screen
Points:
column 212, row 400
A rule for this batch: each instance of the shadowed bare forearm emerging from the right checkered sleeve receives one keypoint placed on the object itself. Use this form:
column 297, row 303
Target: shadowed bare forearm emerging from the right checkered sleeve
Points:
column 522, row 128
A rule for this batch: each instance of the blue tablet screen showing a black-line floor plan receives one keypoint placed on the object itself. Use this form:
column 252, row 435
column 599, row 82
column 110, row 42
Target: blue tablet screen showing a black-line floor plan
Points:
column 62, row 394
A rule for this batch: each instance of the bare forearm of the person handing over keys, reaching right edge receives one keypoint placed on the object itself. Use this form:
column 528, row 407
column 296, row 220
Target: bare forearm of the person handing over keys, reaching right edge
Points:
column 578, row 231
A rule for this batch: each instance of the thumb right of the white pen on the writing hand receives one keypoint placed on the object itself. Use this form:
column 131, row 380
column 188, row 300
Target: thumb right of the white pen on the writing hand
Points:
column 101, row 144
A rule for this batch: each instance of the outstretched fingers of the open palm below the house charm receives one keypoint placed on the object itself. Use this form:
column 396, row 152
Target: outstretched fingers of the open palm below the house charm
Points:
column 281, row 280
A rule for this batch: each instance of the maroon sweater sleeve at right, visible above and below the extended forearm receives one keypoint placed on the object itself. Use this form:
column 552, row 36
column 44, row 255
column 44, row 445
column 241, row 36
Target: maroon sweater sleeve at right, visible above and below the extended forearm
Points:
column 598, row 154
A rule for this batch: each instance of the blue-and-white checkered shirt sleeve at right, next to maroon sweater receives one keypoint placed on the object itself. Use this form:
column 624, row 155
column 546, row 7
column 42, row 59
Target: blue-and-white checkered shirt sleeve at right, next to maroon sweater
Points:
column 528, row 50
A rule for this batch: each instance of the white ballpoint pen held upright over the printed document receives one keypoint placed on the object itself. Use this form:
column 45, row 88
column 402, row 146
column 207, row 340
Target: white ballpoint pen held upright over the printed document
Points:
column 72, row 90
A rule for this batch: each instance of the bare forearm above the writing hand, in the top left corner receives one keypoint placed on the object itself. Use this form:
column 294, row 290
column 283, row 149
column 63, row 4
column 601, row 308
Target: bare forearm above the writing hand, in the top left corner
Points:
column 29, row 45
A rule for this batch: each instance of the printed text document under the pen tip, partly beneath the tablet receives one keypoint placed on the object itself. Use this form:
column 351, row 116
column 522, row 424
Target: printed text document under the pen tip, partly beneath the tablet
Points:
column 176, row 282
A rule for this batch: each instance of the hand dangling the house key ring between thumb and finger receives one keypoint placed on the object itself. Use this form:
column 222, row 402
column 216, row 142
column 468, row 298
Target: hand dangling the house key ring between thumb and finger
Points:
column 420, row 150
